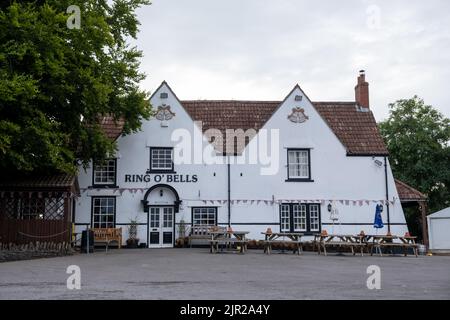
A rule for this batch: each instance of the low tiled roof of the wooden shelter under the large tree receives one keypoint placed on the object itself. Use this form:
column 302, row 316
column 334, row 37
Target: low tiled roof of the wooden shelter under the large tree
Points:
column 56, row 182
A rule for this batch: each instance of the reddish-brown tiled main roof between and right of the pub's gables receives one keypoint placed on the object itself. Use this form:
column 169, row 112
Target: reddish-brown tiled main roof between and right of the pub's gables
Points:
column 357, row 130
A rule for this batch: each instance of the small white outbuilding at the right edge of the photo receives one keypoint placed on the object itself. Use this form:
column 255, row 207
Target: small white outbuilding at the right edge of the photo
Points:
column 438, row 230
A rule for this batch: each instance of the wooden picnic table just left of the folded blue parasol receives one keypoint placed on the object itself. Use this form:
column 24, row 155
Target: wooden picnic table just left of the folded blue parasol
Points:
column 341, row 240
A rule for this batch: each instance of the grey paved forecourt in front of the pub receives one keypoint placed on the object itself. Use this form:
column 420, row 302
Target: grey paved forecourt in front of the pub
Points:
column 197, row 274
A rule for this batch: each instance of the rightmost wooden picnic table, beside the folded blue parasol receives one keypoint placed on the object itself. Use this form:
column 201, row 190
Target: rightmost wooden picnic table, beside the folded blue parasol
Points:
column 387, row 241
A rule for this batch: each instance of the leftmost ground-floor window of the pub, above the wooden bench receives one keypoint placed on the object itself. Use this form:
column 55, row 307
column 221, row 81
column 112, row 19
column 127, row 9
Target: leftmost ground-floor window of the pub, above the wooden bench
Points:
column 103, row 212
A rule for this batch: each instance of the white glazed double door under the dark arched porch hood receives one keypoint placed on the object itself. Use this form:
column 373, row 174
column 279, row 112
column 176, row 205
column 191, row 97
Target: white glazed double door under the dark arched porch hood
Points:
column 161, row 227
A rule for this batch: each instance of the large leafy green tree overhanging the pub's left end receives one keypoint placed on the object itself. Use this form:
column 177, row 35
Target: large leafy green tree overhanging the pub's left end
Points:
column 56, row 82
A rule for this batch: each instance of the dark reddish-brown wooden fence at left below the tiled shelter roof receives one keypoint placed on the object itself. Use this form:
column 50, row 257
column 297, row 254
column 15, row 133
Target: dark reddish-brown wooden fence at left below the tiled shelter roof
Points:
column 26, row 231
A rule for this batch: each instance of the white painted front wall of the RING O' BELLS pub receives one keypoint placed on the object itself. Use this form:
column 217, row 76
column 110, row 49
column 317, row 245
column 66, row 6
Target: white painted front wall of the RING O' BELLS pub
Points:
column 335, row 175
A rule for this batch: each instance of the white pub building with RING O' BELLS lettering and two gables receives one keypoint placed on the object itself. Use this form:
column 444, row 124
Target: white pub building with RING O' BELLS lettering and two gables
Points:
column 292, row 166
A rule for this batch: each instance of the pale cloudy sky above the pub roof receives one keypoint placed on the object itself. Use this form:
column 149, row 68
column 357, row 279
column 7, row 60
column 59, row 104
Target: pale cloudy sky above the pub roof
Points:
column 259, row 49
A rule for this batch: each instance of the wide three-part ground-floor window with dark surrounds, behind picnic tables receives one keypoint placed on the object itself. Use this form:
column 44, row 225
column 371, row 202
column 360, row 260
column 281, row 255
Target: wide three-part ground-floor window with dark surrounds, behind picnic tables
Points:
column 300, row 217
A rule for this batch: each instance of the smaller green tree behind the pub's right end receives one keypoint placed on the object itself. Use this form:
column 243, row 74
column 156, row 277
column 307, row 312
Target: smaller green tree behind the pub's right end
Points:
column 417, row 137
